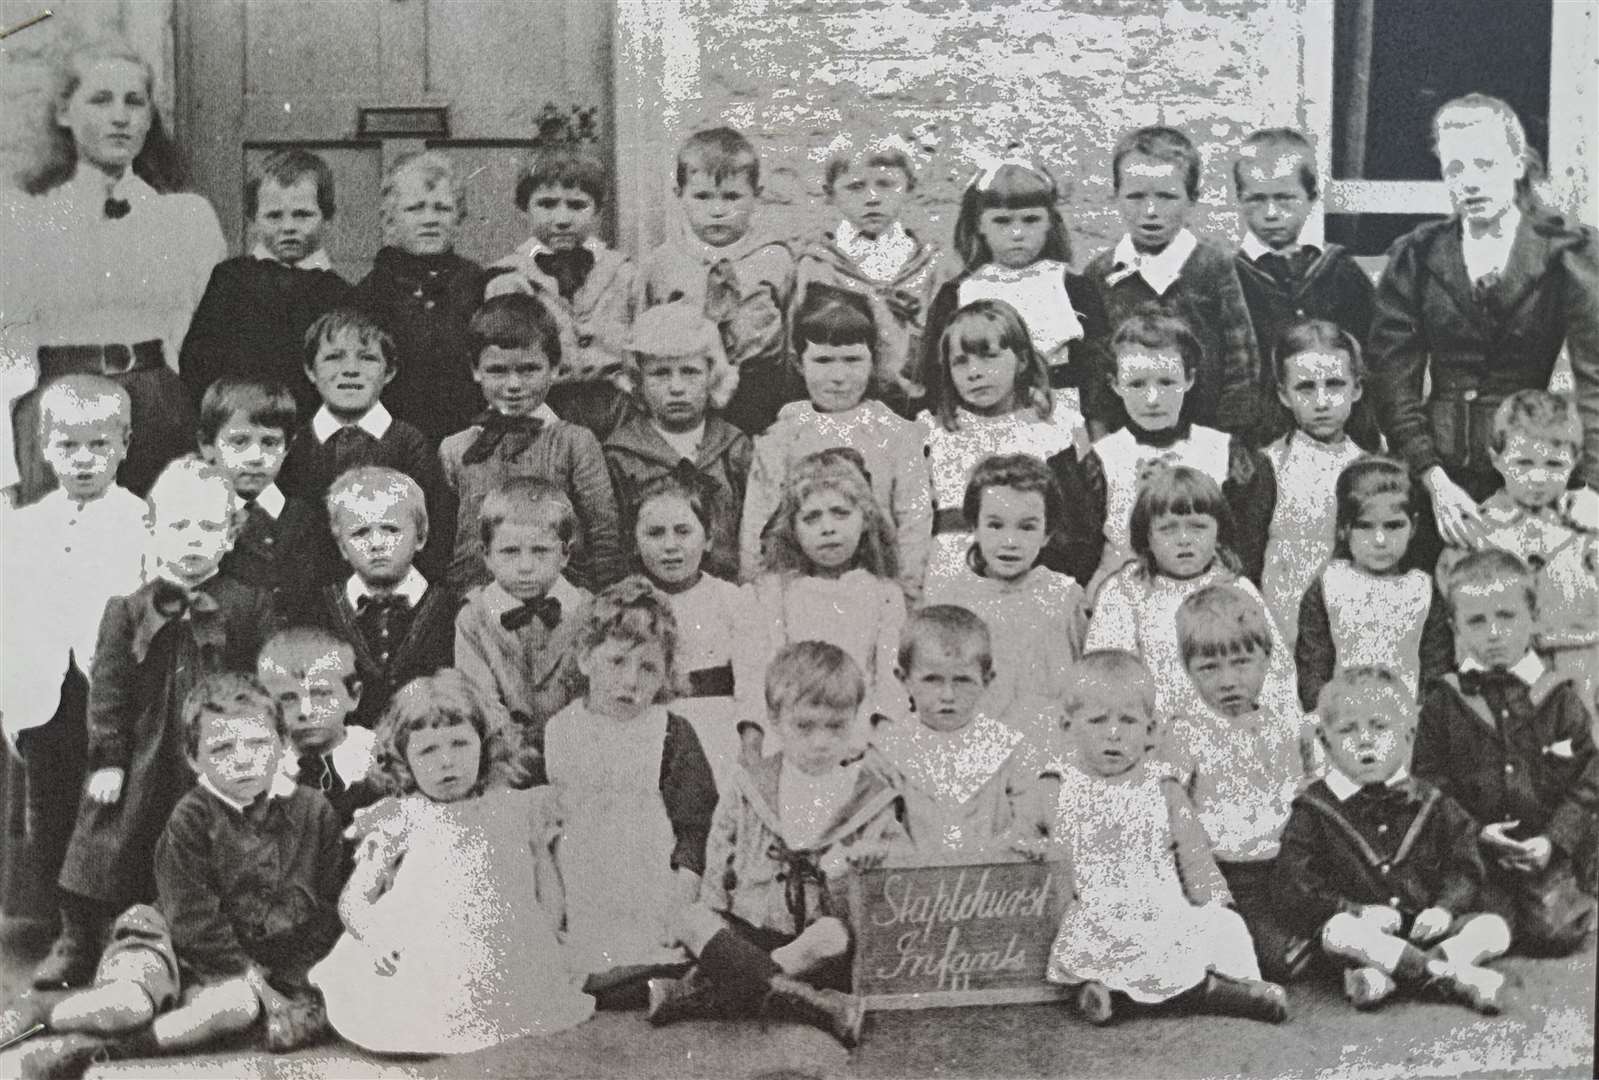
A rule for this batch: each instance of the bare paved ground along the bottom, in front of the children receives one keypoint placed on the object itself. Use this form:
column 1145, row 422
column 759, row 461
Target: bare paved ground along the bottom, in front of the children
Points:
column 1547, row 1033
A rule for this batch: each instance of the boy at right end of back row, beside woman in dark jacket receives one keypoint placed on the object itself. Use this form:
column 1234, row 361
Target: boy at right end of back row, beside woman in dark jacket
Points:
column 1285, row 282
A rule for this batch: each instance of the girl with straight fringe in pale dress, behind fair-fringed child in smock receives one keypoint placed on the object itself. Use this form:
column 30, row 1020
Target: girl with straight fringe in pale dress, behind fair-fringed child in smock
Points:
column 1182, row 538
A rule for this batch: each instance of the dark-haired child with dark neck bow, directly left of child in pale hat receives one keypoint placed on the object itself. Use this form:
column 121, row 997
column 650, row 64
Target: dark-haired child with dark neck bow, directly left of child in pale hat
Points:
column 517, row 348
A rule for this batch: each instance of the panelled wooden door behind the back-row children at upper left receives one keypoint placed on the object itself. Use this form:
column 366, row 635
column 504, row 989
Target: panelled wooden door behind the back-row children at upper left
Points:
column 255, row 76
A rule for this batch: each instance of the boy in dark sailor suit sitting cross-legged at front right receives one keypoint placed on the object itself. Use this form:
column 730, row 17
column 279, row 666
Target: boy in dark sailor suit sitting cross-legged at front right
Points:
column 1381, row 866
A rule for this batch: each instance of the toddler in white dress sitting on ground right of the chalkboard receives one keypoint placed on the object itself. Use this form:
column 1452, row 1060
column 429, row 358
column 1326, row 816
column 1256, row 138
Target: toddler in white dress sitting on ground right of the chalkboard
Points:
column 1150, row 916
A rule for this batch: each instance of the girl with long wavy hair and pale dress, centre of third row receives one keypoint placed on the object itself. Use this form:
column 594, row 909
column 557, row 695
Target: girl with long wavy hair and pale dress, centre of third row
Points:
column 831, row 578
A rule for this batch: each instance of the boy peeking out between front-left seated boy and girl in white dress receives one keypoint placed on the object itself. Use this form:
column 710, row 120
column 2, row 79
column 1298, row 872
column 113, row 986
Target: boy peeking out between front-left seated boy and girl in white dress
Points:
column 311, row 674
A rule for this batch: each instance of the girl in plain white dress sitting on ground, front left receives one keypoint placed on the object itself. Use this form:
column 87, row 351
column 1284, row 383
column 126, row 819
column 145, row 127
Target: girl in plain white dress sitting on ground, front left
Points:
column 444, row 950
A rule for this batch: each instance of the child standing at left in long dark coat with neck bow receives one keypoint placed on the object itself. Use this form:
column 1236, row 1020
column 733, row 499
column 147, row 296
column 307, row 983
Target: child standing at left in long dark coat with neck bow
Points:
column 154, row 644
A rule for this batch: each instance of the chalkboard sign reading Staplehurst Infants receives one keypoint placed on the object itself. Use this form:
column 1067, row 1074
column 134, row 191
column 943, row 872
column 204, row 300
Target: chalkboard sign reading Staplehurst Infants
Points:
column 930, row 937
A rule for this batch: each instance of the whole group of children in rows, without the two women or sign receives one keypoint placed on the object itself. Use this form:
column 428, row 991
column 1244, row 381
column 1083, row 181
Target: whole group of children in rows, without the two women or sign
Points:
column 612, row 614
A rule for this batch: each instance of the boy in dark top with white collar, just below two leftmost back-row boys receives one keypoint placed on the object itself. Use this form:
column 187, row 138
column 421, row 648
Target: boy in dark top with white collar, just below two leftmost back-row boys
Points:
column 349, row 359
